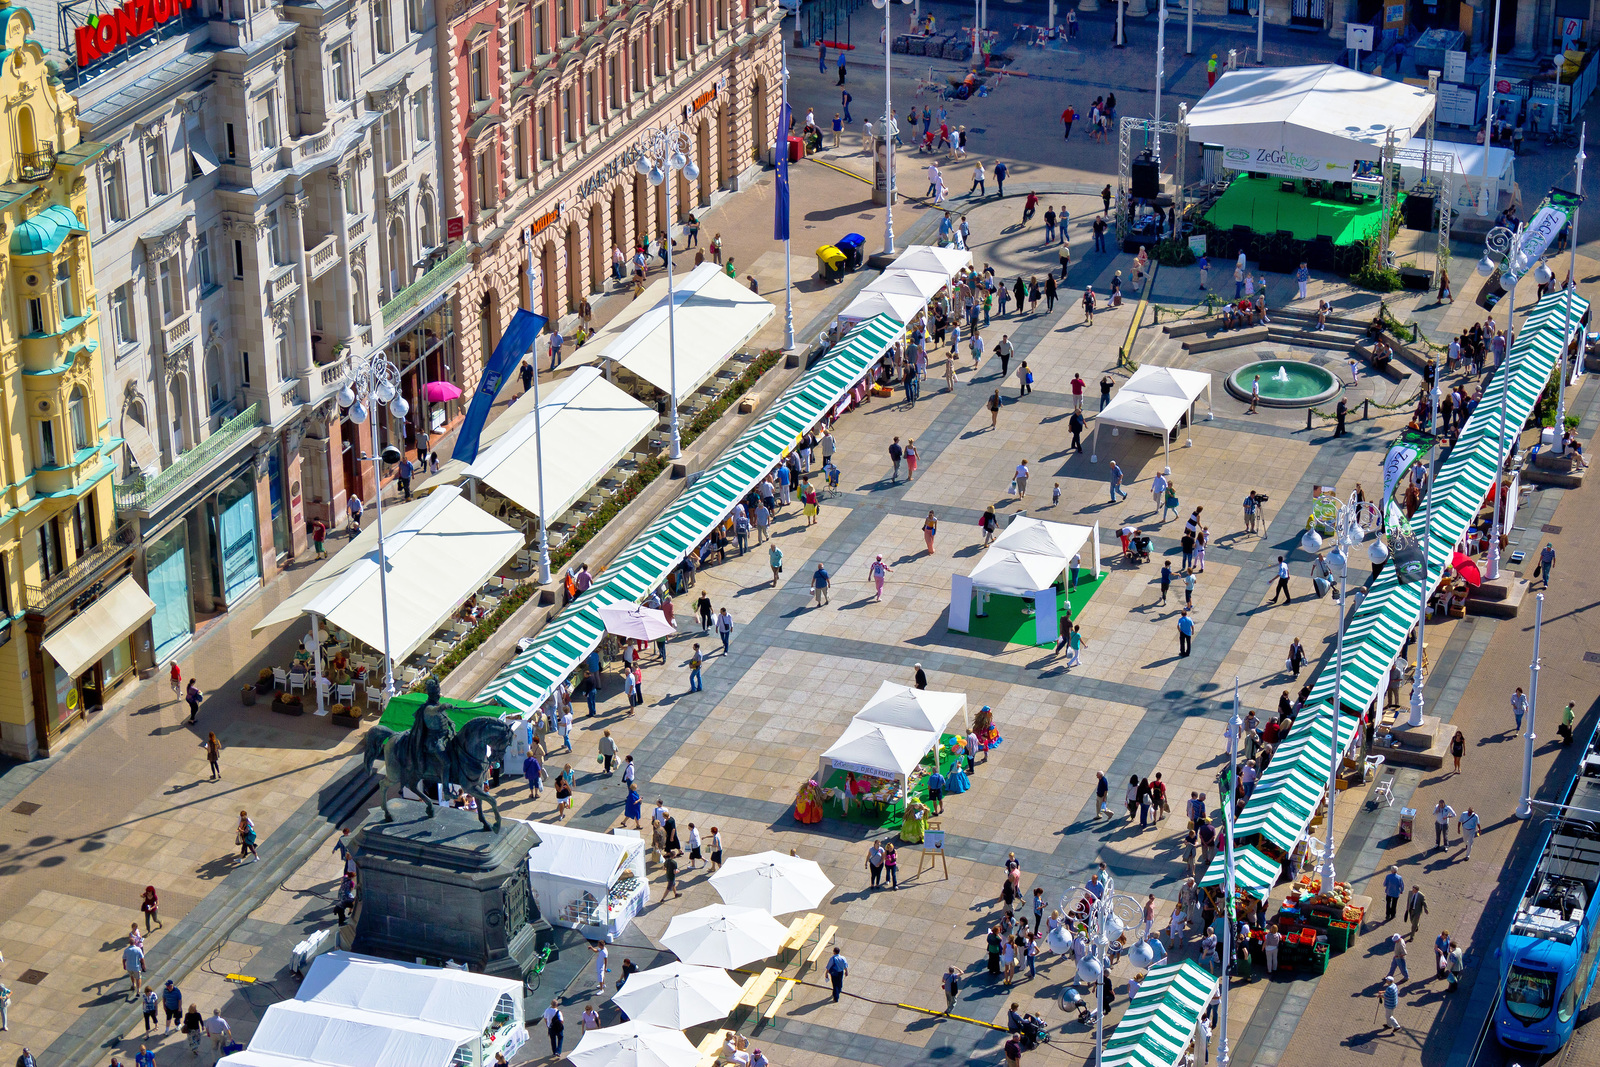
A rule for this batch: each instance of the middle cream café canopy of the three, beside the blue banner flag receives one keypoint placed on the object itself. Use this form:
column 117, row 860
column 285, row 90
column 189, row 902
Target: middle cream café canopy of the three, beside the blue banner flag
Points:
column 588, row 425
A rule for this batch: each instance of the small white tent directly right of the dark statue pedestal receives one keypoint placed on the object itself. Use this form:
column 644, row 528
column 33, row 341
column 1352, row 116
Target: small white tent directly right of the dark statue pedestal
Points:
column 572, row 873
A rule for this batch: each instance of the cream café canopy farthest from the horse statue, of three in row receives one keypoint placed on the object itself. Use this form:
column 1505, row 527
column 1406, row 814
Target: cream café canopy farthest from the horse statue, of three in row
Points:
column 716, row 318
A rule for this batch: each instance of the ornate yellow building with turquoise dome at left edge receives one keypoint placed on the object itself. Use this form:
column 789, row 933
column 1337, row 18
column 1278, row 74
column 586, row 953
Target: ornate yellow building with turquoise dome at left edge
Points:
column 66, row 588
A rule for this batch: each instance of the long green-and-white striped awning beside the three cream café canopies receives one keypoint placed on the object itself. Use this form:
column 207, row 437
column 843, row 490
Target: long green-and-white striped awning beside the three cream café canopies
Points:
column 562, row 645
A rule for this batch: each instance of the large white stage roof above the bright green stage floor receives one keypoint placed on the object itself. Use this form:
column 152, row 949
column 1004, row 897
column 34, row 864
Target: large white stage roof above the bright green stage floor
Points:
column 1311, row 121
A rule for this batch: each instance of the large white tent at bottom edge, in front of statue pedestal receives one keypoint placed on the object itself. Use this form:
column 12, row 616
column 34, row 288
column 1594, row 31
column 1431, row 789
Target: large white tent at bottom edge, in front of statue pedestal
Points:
column 362, row 1012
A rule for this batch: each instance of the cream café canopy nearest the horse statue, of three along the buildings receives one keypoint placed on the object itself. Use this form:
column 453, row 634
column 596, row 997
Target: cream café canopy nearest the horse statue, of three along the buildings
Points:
column 439, row 554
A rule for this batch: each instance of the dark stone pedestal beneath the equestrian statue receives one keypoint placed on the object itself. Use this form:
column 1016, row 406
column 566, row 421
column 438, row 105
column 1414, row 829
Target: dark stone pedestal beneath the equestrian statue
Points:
column 444, row 889
